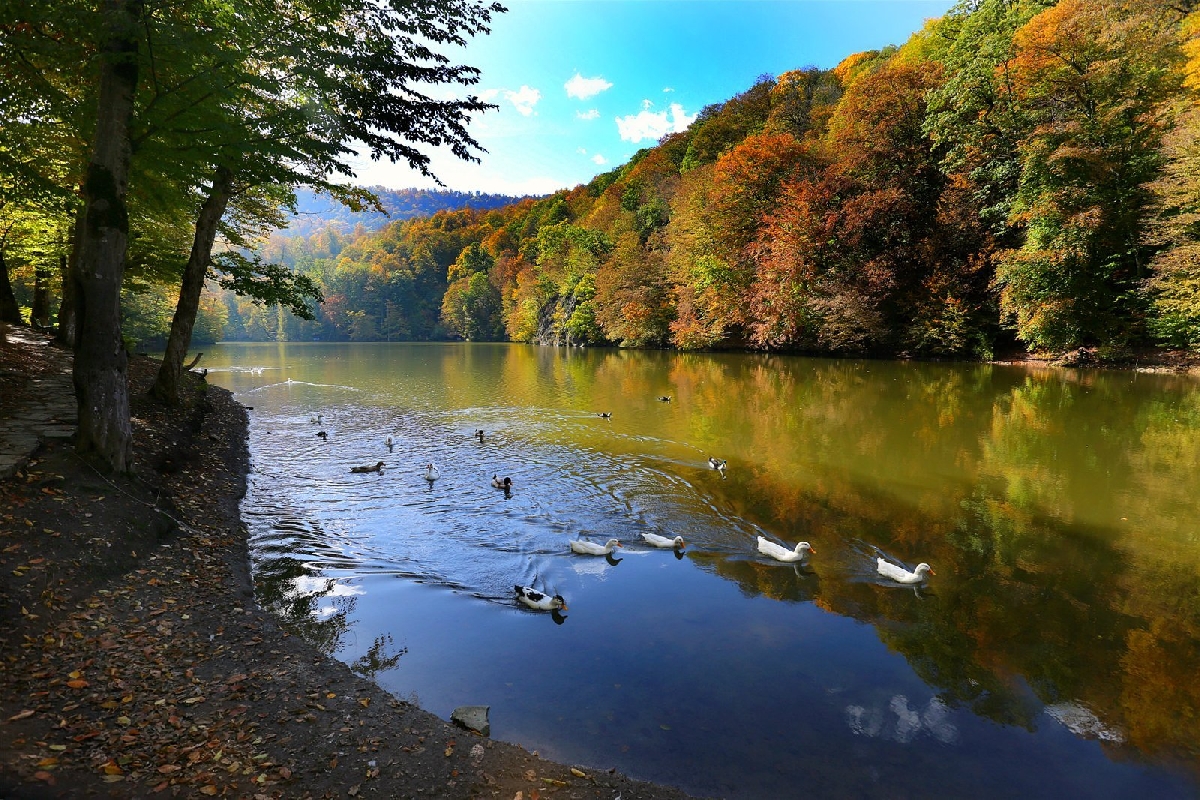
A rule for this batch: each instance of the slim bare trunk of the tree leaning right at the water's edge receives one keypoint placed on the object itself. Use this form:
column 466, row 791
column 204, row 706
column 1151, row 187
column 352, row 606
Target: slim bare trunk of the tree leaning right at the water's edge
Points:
column 166, row 387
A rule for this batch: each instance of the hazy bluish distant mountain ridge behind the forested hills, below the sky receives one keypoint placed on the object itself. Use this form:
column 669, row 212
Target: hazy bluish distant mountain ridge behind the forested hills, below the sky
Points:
column 316, row 212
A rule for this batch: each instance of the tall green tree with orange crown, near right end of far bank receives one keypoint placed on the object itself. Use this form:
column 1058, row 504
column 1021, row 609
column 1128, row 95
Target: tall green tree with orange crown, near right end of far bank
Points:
column 1091, row 76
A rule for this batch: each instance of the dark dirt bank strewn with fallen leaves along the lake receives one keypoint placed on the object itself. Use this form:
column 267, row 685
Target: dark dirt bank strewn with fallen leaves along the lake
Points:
column 135, row 663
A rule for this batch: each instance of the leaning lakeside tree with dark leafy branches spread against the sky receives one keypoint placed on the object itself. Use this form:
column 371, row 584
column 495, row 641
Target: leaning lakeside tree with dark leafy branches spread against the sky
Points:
column 362, row 64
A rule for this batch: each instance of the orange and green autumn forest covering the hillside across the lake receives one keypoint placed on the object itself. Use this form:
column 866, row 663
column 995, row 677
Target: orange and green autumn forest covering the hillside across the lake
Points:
column 1019, row 173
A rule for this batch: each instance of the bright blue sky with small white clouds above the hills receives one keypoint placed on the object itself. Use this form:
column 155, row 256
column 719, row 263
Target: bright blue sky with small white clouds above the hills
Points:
column 584, row 85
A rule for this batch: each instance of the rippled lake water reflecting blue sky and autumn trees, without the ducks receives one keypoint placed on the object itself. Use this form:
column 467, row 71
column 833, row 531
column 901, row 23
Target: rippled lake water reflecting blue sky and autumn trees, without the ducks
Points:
column 1055, row 654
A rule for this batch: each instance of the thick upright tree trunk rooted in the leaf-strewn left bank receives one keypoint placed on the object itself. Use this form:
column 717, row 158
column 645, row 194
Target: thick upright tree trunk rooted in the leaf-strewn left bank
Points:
column 100, row 359
